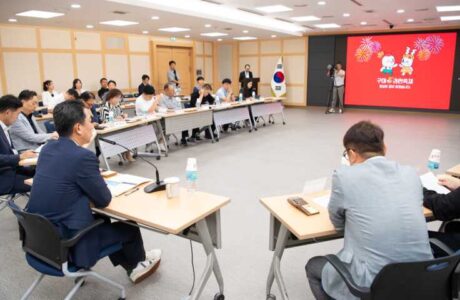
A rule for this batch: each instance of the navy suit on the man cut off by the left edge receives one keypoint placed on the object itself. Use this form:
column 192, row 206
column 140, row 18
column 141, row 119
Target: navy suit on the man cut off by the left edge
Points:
column 11, row 175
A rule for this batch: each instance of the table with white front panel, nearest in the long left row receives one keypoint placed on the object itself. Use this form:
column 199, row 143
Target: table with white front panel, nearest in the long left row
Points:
column 137, row 133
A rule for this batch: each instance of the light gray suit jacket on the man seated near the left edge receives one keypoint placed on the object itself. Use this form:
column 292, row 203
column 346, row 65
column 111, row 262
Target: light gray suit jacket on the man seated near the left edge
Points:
column 23, row 135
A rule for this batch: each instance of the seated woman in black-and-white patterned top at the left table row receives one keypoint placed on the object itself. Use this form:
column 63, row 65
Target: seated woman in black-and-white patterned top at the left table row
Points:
column 112, row 111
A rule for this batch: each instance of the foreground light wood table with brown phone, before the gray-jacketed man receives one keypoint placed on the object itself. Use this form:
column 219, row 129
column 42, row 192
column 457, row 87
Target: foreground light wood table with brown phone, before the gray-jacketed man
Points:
column 289, row 228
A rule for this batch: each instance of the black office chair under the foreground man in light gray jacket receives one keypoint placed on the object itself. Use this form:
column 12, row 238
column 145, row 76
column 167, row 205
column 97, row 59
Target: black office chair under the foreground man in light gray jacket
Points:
column 434, row 279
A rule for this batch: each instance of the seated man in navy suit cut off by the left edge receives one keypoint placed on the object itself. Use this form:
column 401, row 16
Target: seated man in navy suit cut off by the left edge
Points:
column 11, row 175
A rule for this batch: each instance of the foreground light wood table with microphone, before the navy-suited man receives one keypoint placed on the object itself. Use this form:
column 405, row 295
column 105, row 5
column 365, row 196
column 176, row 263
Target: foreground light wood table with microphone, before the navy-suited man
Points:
column 193, row 215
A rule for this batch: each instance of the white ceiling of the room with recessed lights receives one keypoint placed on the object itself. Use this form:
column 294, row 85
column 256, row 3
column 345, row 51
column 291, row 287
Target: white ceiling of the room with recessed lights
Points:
column 378, row 15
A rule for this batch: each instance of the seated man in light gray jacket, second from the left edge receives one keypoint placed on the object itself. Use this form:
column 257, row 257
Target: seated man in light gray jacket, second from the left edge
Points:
column 25, row 132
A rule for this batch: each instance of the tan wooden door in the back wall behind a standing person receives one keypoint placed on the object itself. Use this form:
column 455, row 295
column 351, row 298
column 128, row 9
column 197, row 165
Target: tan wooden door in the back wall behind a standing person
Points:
column 183, row 59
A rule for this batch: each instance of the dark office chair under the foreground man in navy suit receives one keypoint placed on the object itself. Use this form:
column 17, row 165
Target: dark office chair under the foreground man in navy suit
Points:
column 47, row 253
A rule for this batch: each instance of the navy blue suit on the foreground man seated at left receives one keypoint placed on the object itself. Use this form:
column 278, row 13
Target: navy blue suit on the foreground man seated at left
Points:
column 67, row 179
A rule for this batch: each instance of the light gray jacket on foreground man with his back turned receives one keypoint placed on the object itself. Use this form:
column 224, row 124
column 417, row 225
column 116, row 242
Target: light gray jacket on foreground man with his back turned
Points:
column 379, row 205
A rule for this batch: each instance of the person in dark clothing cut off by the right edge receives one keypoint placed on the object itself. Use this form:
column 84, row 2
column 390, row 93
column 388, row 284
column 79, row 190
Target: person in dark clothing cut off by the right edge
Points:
column 445, row 207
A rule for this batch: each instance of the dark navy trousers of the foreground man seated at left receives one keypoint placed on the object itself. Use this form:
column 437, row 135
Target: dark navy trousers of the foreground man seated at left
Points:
column 108, row 234
